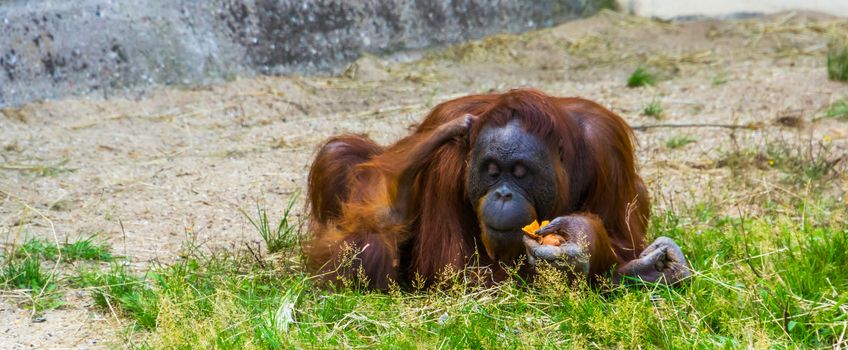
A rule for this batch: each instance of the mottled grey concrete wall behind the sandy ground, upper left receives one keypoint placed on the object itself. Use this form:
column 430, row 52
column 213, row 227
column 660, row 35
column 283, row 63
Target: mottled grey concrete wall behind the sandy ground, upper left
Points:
column 52, row 48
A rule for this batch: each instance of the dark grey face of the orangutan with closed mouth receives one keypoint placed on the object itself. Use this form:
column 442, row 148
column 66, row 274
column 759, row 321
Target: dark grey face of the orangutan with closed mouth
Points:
column 511, row 183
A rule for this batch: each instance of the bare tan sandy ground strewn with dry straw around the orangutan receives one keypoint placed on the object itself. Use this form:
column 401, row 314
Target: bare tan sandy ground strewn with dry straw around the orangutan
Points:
column 151, row 172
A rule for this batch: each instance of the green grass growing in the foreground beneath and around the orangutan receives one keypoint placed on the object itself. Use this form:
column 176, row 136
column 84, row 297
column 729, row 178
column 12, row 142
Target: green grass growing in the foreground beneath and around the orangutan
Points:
column 766, row 281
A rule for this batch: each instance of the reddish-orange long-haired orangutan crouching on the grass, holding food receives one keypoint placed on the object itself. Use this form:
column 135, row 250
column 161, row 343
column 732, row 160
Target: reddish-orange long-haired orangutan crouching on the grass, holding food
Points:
column 477, row 170
